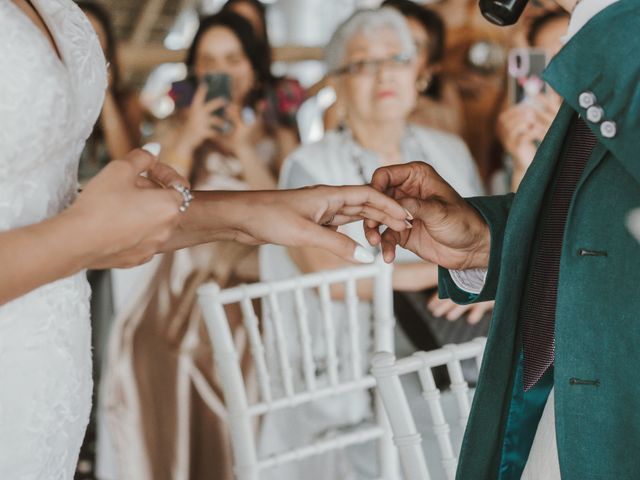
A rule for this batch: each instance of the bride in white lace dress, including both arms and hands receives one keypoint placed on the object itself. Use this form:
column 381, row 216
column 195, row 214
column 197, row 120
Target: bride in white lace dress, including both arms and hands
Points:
column 52, row 80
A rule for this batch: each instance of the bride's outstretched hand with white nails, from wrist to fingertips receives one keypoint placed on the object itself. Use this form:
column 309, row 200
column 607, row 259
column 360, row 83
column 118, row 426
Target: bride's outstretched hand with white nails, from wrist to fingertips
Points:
column 310, row 217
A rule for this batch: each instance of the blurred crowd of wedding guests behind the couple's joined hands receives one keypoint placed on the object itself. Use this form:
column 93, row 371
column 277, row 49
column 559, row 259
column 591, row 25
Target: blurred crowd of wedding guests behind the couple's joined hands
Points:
column 411, row 83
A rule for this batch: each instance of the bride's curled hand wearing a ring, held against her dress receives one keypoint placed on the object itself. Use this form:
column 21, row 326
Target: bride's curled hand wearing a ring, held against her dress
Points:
column 125, row 217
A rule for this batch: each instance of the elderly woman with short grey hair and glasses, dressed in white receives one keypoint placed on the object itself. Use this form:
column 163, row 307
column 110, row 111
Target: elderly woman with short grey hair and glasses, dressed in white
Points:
column 373, row 59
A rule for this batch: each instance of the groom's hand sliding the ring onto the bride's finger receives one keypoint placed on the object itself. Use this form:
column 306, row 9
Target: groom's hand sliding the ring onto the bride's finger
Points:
column 446, row 229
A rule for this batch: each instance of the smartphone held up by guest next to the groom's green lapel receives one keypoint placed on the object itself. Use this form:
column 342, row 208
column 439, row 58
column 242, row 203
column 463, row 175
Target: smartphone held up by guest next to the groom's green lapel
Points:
column 525, row 66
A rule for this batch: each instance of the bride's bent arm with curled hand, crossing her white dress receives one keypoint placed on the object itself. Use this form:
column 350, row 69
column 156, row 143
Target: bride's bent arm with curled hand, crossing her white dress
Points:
column 114, row 223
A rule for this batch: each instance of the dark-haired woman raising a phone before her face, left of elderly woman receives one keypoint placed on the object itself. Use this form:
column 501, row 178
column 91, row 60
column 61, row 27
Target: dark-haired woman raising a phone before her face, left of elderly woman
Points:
column 242, row 147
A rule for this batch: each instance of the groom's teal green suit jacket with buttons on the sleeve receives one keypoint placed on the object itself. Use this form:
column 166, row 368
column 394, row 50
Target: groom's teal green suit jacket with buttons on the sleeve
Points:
column 598, row 304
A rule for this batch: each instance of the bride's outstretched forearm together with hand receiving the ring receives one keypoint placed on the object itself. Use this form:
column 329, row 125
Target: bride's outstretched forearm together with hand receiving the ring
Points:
column 287, row 217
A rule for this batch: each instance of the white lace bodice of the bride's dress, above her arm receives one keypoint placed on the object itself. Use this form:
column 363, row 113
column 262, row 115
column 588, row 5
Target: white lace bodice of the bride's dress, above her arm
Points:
column 47, row 108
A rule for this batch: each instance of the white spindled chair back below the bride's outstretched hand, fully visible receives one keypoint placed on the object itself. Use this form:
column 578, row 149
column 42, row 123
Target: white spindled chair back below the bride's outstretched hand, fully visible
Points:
column 300, row 389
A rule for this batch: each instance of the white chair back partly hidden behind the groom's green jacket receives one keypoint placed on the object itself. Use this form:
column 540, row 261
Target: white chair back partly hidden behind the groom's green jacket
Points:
column 406, row 436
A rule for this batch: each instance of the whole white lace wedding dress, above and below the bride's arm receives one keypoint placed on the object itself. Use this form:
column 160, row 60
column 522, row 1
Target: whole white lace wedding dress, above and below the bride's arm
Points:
column 47, row 110
